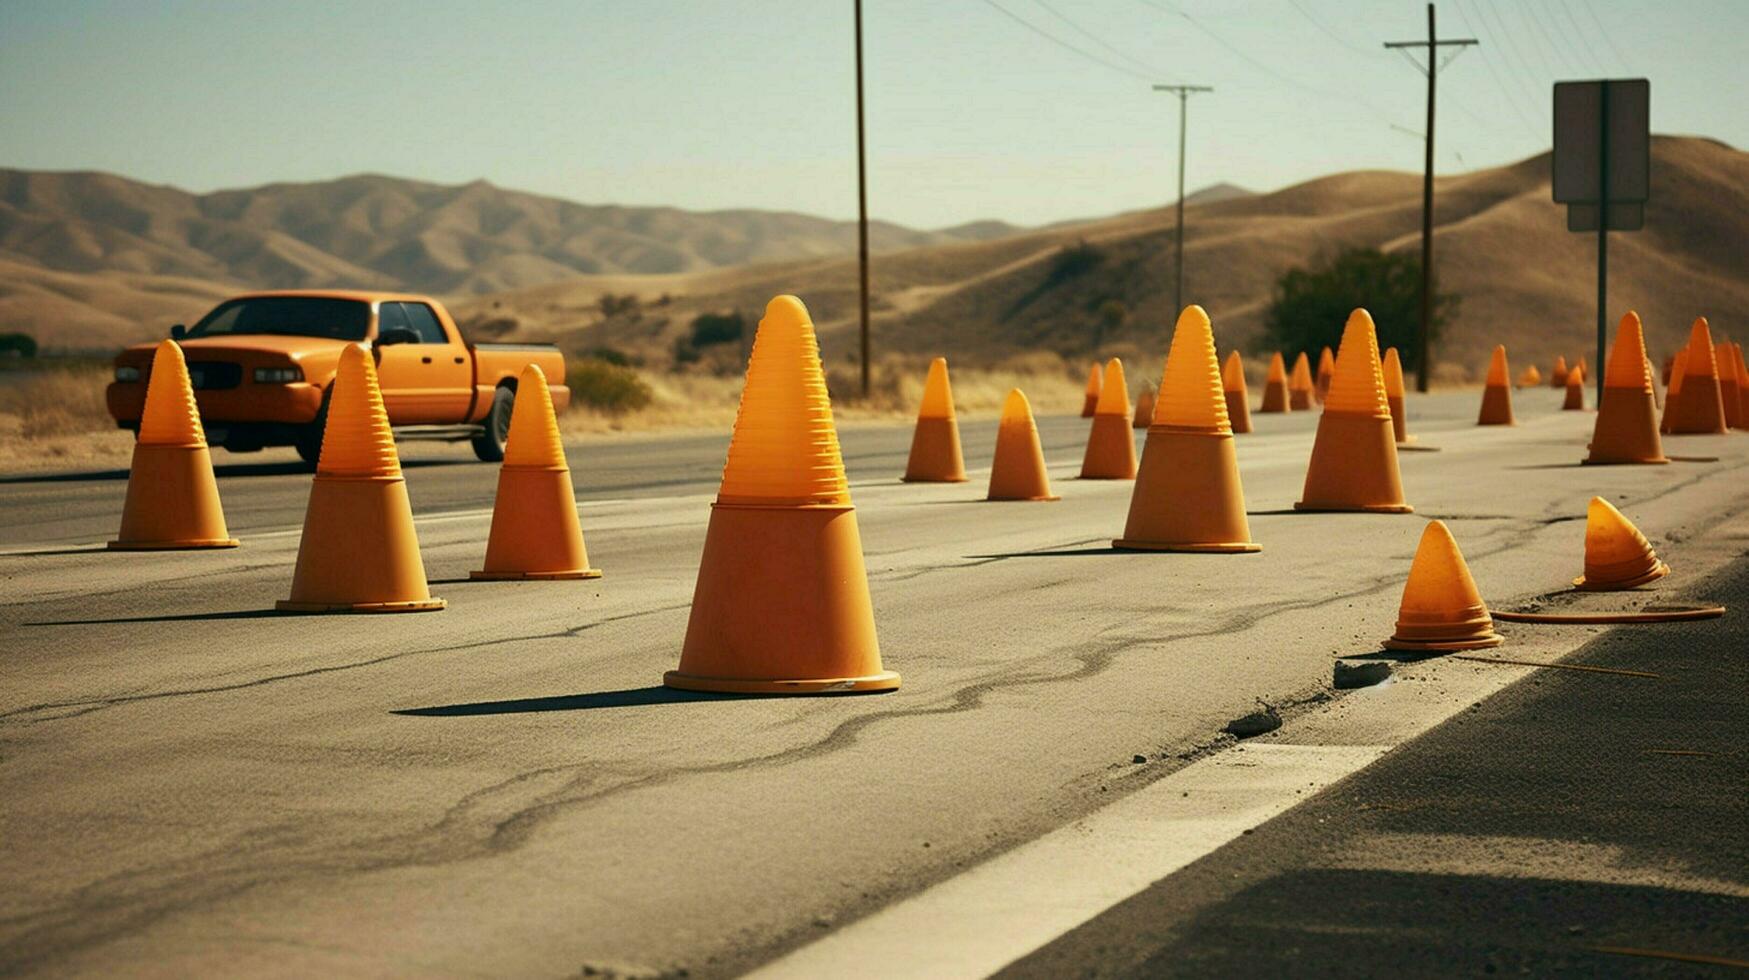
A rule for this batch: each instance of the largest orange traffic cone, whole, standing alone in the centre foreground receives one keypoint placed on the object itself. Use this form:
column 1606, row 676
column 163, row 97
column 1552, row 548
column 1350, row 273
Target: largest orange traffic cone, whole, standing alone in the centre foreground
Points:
column 783, row 599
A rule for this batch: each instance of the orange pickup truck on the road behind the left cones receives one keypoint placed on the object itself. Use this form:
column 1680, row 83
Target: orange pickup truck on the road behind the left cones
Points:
column 263, row 365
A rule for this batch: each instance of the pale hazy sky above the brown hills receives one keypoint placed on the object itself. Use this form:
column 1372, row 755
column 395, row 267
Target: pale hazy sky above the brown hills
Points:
column 721, row 104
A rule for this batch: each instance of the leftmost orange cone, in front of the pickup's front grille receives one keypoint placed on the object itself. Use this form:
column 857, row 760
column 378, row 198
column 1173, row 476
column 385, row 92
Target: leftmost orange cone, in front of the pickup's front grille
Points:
column 172, row 494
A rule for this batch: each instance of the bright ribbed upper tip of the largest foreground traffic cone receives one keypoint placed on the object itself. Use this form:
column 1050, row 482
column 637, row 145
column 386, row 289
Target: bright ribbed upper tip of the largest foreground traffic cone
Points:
column 786, row 447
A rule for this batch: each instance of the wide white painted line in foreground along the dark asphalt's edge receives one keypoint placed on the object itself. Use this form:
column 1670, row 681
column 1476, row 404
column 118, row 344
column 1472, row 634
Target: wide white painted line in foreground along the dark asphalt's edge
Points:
column 1001, row 911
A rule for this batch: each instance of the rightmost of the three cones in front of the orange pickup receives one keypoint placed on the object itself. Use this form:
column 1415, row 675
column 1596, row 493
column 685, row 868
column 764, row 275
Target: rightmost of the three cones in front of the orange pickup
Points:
column 534, row 519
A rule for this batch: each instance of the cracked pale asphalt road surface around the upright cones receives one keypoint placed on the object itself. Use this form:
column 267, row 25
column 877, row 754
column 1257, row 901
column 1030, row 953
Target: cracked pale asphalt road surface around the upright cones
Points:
column 195, row 785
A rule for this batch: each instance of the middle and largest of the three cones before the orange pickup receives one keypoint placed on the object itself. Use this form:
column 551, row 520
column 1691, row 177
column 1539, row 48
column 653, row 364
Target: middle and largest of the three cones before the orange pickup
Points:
column 359, row 552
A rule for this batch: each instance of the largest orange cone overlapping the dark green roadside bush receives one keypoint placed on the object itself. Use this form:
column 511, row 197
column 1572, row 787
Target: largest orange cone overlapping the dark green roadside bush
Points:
column 1355, row 456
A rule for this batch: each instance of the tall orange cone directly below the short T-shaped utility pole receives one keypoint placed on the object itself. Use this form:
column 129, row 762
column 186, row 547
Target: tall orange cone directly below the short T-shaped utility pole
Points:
column 1188, row 496
